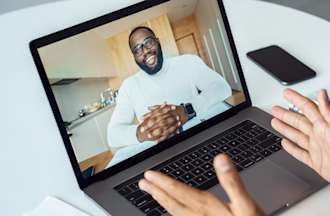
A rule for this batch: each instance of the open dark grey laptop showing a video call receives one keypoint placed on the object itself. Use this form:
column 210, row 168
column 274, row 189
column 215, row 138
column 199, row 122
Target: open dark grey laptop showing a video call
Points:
column 187, row 58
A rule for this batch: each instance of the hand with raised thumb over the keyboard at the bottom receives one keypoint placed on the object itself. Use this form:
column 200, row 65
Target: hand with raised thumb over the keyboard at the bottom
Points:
column 181, row 200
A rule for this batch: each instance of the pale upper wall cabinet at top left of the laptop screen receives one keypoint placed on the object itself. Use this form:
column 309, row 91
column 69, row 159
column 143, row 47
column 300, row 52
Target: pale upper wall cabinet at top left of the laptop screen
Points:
column 83, row 56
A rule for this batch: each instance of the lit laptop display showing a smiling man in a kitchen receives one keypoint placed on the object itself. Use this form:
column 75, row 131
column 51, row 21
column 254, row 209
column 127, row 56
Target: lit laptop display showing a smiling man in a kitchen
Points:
column 133, row 83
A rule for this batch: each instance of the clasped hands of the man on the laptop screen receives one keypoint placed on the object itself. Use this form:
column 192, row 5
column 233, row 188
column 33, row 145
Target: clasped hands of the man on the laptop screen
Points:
column 161, row 122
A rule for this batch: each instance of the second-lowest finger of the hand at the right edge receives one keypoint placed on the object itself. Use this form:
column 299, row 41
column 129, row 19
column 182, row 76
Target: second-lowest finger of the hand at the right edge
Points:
column 291, row 133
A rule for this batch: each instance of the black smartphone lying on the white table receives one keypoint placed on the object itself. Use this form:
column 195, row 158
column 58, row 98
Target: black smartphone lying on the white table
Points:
column 281, row 65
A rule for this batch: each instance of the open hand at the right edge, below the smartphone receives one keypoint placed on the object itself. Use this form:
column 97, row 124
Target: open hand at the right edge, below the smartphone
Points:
column 308, row 134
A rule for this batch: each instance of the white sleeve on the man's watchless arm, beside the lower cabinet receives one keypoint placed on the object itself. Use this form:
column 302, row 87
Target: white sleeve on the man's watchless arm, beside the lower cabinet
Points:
column 121, row 129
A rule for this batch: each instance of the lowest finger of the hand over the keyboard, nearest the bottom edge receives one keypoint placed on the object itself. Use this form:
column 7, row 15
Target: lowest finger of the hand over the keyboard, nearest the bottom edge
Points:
column 173, row 206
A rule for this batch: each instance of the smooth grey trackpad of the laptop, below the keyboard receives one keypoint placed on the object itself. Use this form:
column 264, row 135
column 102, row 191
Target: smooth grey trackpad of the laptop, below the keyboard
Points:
column 271, row 186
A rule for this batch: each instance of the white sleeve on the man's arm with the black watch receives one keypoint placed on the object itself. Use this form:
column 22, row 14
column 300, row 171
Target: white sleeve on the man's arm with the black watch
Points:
column 211, row 90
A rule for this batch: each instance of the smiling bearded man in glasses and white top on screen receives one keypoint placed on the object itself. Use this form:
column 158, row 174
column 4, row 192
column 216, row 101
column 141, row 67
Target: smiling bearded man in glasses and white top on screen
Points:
column 166, row 96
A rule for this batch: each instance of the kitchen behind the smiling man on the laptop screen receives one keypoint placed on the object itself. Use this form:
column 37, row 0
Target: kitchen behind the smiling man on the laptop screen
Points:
column 95, row 63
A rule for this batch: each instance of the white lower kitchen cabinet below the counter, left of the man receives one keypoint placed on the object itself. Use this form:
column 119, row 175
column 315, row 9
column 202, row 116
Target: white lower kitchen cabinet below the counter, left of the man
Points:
column 90, row 137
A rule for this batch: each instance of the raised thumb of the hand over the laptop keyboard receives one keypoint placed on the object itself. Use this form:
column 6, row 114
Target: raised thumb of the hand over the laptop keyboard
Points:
column 232, row 184
